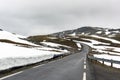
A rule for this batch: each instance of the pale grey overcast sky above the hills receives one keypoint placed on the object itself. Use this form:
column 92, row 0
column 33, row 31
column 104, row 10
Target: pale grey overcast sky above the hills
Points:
column 31, row 17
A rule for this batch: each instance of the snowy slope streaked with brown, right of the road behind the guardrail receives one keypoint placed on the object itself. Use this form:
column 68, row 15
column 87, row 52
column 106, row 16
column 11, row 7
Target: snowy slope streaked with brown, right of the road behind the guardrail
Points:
column 104, row 50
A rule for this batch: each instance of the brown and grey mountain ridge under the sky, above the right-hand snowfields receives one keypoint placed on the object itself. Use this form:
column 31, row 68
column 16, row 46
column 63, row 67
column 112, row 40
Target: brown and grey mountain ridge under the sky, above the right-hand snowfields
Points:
column 88, row 32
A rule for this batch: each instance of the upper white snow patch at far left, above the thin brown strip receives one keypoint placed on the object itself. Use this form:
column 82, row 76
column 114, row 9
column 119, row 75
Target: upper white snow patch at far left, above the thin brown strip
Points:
column 14, row 37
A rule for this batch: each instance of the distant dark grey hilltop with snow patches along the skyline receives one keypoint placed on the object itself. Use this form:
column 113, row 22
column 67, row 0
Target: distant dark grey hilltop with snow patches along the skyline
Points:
column 87, row 30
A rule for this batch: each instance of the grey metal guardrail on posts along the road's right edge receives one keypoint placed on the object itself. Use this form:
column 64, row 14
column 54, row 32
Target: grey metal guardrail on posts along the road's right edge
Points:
column 103, row 60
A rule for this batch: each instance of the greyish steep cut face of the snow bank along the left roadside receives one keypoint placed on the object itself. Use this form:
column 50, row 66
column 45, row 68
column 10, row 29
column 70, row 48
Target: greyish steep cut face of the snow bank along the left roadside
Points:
column 7, row 63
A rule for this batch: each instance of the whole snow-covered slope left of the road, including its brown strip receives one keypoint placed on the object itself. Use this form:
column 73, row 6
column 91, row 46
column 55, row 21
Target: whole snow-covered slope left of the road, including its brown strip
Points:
column 12, row 55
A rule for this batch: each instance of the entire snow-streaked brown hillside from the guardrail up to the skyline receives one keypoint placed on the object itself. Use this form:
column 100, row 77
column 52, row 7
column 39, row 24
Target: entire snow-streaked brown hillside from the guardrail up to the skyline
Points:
column 105, row 43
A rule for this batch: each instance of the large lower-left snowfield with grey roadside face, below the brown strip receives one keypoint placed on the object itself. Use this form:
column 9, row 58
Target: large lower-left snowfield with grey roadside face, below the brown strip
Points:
column 12, row 56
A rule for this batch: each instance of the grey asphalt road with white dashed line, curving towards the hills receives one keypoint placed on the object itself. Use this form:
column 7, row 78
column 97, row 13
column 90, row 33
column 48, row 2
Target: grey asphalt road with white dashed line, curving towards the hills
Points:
column 73, row 67
